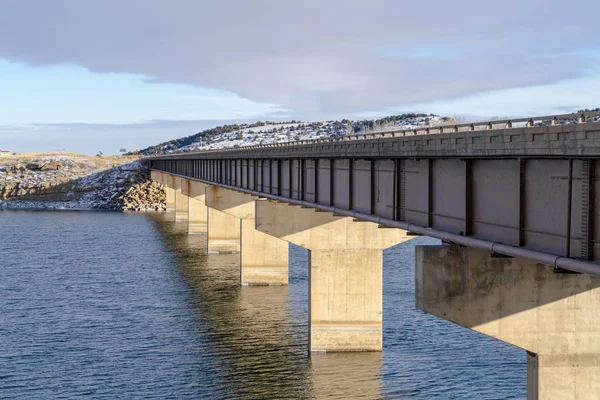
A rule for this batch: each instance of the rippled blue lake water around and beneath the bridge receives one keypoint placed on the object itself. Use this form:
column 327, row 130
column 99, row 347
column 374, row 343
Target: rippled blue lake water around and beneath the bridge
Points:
column 101, row 305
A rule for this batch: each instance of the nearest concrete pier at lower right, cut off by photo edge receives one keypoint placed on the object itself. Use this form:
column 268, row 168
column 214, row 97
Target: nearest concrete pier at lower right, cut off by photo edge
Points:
column 554, row 316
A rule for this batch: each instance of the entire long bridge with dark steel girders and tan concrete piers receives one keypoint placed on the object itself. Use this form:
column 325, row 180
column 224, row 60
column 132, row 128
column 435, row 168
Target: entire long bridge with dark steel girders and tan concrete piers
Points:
column 514, row 204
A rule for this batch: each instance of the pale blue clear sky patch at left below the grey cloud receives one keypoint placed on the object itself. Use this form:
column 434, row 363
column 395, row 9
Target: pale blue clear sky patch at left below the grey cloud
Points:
column 68, row 93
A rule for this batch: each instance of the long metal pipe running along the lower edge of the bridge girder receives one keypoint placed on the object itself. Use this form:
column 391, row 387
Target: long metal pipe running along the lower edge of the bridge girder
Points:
column 584, row 267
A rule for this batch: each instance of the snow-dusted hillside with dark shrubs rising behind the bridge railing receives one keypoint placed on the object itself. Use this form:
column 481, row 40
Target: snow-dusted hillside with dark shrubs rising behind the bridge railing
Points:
column 228, row 136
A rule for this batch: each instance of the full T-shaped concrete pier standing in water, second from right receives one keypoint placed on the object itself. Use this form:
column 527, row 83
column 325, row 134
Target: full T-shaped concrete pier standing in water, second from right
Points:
column 345, row 273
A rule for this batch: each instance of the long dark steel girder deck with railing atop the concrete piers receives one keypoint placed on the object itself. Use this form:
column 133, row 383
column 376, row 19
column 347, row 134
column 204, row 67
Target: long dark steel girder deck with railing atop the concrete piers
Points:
column 528, row 191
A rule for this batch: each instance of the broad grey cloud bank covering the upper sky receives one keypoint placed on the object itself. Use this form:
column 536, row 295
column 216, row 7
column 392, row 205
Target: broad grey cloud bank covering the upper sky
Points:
column 319, row 59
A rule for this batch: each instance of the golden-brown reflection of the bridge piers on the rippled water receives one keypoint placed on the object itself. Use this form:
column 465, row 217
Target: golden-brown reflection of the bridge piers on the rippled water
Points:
column 257, row 335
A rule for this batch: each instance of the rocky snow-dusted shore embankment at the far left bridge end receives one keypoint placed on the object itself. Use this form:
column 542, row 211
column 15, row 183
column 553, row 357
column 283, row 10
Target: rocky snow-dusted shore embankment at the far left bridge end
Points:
column 78, row 182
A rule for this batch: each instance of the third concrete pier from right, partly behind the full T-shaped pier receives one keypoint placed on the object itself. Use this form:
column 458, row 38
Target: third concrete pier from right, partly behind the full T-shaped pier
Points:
column 263, row 258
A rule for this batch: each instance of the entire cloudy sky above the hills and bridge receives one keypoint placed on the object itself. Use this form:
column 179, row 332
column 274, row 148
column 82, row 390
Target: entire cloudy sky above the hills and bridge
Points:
column 101, row 75
